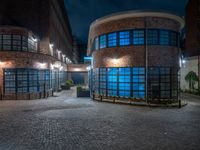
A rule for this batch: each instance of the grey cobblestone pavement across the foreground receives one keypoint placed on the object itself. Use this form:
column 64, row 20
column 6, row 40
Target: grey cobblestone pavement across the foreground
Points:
column 67, row 123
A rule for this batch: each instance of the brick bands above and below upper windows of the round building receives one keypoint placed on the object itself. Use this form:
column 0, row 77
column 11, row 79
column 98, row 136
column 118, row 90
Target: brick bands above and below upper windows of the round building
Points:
column 135, row 55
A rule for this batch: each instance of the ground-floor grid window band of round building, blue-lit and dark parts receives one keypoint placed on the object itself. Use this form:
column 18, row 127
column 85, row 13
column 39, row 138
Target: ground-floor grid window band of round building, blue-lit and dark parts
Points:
column 131, row 82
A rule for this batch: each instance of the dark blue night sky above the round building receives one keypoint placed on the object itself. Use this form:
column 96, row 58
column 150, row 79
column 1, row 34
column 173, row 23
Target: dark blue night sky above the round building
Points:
column 83, row 12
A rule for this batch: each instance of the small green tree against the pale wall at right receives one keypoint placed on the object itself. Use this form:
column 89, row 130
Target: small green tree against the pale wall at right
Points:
column 191, row 78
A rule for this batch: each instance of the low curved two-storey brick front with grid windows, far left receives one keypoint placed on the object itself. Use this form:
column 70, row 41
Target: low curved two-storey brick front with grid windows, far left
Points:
column 25, row 59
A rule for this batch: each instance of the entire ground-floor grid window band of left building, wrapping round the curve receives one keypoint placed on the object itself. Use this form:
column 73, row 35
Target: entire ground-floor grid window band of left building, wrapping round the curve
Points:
column 24, row 80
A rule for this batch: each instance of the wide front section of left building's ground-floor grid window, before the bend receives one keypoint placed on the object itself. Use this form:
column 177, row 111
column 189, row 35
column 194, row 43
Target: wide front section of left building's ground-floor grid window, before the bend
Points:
column 26, row 80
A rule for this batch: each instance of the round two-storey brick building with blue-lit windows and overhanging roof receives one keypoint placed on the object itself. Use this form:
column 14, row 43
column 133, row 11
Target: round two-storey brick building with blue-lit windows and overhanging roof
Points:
column 136, row 55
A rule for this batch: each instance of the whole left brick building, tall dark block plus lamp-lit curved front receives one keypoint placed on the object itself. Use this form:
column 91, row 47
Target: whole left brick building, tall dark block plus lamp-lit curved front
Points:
column 36, row 44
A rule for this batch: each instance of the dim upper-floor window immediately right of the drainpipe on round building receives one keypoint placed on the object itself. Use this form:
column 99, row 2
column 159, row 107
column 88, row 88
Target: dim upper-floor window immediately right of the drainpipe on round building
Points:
column 152, row 36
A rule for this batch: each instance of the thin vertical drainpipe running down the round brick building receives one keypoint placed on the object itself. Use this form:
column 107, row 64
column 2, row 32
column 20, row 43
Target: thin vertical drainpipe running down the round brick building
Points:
column 146, row 60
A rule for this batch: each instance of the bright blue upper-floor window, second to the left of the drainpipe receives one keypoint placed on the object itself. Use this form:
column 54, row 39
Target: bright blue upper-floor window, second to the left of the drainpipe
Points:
column 124, row 38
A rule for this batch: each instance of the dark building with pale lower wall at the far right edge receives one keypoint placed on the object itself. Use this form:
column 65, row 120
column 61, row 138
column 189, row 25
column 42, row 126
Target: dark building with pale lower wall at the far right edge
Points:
column 191, row 49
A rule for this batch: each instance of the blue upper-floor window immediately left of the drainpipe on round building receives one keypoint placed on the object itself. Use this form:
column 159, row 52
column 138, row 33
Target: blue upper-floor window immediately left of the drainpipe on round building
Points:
column 138, row 37
